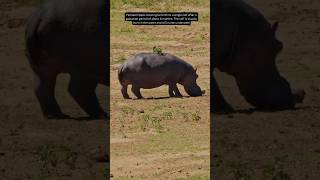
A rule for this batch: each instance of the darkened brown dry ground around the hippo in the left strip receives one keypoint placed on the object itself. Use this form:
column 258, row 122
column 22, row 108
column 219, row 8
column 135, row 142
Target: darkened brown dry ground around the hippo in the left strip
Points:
column 32, row 147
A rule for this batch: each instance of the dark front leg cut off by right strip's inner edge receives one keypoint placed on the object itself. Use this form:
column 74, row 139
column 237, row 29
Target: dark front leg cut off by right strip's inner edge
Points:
column 219, row 104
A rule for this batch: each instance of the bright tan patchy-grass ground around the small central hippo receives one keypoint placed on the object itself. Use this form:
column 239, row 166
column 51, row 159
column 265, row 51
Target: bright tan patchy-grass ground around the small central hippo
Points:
column 160, row 138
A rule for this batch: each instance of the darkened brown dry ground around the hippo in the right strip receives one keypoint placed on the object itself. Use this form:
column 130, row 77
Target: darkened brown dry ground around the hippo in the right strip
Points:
column 276, row 145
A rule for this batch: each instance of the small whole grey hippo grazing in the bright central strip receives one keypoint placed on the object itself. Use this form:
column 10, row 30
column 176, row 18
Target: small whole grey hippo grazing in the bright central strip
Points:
column 151, row 70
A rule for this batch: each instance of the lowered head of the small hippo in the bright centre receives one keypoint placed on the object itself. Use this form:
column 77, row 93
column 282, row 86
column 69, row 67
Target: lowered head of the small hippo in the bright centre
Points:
column 189, row 83
